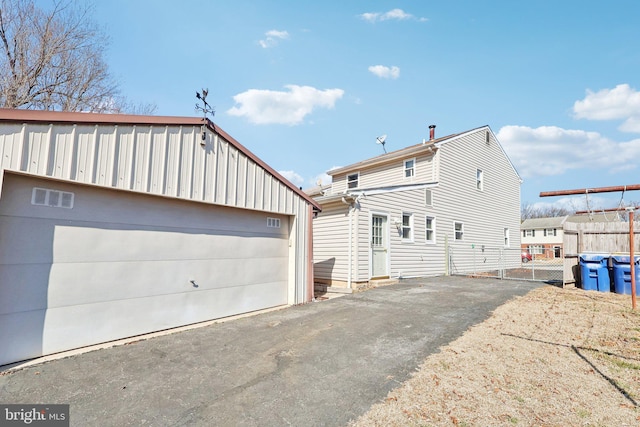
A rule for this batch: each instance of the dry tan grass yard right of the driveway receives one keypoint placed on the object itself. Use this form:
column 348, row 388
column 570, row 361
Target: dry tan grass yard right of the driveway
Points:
column 555, row 357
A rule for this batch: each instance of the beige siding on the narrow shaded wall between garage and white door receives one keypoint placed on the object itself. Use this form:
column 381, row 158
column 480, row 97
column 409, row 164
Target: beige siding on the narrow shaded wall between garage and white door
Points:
column 331, row 242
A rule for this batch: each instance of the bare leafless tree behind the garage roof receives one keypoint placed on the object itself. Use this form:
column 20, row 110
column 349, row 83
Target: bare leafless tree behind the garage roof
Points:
column 53, row 59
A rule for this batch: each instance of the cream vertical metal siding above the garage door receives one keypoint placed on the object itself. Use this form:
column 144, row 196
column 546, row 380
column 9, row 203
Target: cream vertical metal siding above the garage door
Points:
column 163, row 160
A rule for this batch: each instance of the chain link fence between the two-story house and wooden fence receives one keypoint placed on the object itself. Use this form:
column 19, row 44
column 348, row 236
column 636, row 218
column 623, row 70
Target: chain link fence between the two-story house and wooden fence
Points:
column 507, row 263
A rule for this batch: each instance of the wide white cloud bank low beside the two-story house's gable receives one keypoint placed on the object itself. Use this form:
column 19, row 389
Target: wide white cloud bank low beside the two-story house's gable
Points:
column 550, row 150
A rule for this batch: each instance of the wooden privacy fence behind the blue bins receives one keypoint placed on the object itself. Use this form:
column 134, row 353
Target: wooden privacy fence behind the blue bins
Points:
column 607, row 238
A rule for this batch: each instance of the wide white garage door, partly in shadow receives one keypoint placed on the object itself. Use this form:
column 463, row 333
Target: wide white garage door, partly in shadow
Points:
column 82, row 265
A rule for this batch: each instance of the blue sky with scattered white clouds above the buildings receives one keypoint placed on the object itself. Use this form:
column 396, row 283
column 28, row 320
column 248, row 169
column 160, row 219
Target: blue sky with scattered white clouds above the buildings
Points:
column 309, row 85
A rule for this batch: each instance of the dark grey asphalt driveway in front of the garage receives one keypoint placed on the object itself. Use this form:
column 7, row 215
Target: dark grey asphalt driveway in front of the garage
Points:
column 321, row 363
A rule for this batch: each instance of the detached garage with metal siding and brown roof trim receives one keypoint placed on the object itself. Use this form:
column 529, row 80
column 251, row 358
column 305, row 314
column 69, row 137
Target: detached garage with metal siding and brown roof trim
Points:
column 114, row 225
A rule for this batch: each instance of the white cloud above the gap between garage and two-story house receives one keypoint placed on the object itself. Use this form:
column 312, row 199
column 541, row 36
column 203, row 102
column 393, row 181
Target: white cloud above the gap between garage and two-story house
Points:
column 282, row 107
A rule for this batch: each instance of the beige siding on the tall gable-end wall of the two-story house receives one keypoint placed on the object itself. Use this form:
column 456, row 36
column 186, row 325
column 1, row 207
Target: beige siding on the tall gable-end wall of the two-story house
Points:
column 484, row 213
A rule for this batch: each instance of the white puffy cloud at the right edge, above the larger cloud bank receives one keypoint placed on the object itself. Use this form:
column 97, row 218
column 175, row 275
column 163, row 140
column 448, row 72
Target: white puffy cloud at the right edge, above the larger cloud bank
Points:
column 621, row 102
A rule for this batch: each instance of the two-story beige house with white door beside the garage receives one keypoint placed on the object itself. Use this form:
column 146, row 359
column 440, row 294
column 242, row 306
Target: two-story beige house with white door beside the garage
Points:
column 424, row 210
